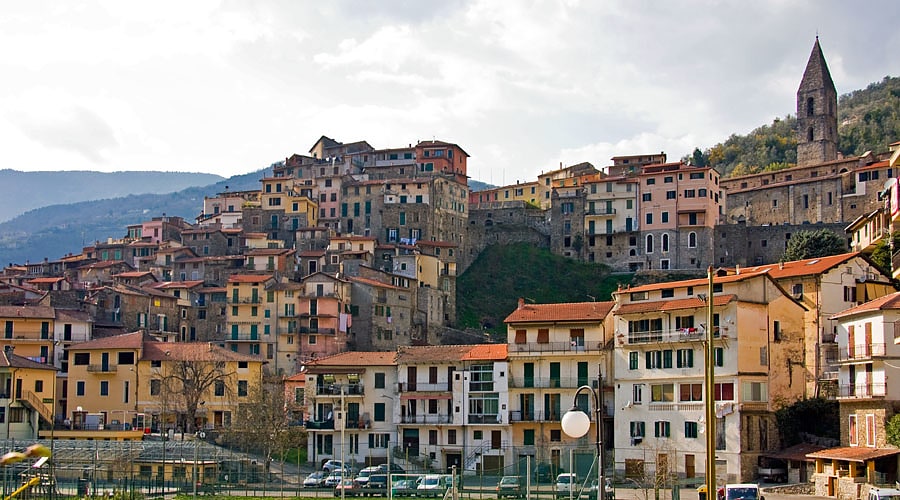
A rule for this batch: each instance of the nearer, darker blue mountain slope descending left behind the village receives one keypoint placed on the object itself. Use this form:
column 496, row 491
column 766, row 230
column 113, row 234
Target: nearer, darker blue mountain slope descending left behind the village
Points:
column 54, row 231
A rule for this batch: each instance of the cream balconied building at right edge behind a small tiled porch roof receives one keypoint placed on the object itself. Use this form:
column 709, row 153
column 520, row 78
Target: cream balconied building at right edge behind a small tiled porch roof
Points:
column 866, row 348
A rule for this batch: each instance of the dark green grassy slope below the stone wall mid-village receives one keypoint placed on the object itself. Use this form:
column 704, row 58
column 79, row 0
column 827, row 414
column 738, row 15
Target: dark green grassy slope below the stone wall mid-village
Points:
column 490, row 288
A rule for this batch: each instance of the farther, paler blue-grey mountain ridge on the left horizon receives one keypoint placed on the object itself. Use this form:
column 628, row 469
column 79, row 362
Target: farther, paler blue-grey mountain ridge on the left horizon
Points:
column 40, row 189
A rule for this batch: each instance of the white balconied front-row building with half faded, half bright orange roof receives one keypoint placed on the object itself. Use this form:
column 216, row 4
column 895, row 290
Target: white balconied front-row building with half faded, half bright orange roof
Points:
column 453, row 407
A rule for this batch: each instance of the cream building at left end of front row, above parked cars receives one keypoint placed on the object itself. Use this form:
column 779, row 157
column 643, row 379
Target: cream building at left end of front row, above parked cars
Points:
column 351, row 398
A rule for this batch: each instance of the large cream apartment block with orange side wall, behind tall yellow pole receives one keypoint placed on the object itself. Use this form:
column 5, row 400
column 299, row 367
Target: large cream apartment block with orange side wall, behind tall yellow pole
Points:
column 660, row 348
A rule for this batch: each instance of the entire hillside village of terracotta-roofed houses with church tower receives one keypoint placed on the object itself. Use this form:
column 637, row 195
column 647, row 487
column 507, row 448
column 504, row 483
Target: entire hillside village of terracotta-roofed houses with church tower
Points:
column 338, row 276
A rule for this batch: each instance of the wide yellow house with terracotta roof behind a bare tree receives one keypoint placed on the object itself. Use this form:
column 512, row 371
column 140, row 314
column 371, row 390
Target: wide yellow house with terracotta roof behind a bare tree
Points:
column 121, row 387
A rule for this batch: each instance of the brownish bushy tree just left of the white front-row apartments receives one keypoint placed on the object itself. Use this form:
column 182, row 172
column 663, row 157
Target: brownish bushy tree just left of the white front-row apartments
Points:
column 263, row 422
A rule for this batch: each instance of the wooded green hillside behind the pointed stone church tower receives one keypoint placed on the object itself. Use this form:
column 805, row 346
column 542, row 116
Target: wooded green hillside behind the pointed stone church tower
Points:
column 868, row 120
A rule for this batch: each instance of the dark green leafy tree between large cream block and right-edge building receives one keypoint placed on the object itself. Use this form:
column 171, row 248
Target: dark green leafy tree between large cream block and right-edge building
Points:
column 815, row 416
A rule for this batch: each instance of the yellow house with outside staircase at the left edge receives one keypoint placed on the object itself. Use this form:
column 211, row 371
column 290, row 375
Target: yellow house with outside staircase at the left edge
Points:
column 26, row 401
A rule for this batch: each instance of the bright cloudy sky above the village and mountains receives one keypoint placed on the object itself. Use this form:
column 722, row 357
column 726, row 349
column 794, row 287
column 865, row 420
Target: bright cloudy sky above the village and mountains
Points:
column 522, row 86
